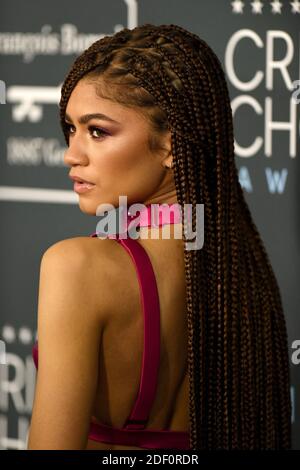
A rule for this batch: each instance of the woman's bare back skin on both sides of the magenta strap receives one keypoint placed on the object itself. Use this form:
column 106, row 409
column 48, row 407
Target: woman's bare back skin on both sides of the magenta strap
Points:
column 120, row 357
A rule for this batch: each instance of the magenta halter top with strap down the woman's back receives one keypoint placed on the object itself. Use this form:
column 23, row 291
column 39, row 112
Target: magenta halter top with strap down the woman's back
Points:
column 133, row 432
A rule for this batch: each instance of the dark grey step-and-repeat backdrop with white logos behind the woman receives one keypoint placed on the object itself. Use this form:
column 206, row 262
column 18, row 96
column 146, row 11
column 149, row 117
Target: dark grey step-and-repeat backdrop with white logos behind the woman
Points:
column 258, row 45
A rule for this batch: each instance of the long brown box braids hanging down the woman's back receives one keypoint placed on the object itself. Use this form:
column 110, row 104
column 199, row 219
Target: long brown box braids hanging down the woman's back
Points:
column 239, row 378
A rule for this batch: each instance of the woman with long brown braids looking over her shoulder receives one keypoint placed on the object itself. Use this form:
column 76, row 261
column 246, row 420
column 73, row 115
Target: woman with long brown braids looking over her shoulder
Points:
column 167, row 138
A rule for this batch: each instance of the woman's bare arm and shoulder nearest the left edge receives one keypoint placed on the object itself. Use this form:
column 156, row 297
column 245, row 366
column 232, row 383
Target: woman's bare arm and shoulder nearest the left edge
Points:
column 69, row 335
